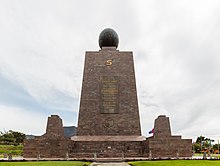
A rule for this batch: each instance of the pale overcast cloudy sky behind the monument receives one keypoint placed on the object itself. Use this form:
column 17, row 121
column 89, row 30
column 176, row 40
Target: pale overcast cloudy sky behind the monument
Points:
column 176, row 47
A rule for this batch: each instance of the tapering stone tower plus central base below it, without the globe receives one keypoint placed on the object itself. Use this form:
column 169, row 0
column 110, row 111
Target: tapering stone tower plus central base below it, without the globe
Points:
column 109, row 124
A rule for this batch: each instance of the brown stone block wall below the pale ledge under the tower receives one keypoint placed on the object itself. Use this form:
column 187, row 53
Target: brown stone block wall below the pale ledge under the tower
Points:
column 105, row 149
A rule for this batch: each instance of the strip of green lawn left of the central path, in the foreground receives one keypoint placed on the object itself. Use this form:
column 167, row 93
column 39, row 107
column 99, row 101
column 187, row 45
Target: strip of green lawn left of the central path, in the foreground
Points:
column 46, row 163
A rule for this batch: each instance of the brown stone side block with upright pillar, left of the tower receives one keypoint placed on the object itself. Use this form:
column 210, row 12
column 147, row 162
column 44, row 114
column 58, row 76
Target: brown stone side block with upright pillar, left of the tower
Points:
column 52, row 144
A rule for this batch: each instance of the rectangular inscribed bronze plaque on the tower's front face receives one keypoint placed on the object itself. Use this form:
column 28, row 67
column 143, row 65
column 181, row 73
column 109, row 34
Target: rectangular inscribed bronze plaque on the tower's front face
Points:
column 109, row 94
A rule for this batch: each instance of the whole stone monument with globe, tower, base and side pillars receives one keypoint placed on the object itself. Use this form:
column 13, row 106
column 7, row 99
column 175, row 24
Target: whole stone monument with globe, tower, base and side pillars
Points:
column 108, row 122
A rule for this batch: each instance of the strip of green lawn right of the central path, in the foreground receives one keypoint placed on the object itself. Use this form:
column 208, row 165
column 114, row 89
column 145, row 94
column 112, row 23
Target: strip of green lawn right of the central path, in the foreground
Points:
column 177, row 163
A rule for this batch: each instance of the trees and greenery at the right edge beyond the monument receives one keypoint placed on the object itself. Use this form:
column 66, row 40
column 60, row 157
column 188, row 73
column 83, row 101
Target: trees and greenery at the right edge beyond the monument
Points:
column 204, row 144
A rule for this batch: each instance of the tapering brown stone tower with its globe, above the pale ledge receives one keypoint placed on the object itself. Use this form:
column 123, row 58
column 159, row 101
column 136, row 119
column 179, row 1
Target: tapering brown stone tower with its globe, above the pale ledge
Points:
column 108, row 105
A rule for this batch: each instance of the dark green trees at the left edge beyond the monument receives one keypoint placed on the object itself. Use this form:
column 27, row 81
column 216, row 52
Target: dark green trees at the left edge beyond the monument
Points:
column 11, row 137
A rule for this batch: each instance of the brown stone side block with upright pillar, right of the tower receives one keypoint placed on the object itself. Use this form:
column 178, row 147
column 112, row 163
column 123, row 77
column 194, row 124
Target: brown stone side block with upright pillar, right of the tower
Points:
column 164, row 145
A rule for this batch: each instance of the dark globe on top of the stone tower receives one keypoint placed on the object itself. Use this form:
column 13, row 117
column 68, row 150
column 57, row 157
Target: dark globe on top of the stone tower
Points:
column 108, row 38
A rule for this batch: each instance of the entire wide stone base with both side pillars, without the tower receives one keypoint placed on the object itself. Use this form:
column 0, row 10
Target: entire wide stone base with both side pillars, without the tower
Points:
column 53, row 144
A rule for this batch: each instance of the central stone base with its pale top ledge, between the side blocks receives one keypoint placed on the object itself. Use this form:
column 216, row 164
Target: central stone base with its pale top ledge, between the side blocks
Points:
column 106, row 146
